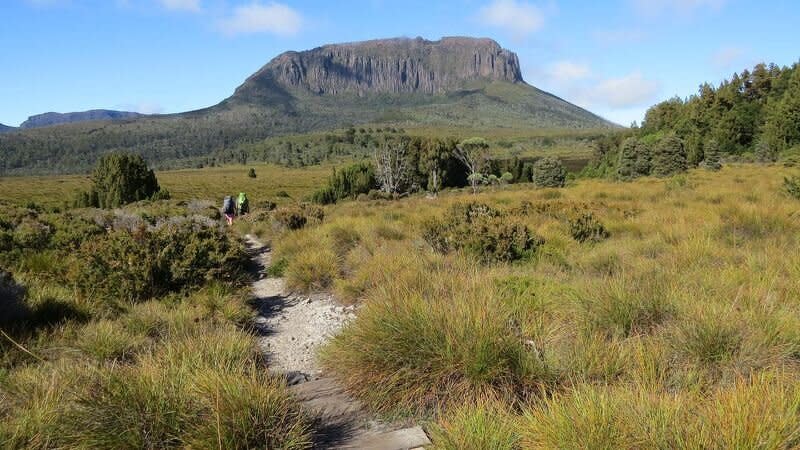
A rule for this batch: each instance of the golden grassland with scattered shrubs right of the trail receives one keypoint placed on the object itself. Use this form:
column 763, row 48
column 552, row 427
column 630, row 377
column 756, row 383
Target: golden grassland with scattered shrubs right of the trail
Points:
column 636, row 322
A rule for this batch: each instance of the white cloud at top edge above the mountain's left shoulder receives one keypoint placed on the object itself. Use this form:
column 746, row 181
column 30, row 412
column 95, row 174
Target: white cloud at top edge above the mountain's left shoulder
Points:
column 274, row 18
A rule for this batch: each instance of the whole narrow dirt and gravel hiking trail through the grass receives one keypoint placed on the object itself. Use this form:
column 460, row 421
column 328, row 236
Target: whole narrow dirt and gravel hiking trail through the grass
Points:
column 292, row 328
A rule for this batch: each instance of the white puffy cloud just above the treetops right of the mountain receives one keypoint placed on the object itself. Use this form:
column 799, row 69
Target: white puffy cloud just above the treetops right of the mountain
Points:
column 624, row 92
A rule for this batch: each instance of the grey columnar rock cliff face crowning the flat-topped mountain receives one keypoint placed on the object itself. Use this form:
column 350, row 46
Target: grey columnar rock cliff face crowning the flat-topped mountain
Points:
column 386, row 66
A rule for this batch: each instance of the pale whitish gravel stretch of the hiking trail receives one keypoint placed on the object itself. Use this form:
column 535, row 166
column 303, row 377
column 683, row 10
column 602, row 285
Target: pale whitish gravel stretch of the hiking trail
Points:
column 294, row 326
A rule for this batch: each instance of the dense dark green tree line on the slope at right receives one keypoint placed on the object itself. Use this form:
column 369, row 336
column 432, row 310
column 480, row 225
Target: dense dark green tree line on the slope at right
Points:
column 753, row 116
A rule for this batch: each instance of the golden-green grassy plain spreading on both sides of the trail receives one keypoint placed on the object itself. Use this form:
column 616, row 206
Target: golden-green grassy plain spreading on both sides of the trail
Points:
column 679, row 329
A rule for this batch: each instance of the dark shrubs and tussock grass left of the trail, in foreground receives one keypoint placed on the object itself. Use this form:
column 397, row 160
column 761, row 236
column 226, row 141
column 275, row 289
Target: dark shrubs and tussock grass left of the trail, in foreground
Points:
column 129, row 329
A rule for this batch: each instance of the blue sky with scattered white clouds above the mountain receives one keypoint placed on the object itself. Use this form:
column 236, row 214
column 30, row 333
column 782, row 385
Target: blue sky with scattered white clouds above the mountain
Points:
column 614, row 57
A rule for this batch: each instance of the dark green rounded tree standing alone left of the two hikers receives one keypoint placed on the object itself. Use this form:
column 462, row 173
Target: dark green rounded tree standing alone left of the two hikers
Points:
column 121, row 178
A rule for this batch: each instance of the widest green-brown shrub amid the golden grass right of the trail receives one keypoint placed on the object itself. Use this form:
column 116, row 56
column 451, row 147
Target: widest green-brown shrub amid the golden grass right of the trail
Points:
column 482, row 232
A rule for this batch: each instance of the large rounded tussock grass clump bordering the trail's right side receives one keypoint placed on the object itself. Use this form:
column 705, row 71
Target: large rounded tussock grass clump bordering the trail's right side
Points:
column 433, row 339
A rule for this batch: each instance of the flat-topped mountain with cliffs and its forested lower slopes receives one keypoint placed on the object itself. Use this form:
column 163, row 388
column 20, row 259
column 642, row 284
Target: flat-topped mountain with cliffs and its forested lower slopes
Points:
column 454, row 83
